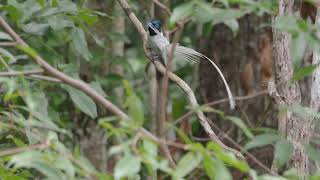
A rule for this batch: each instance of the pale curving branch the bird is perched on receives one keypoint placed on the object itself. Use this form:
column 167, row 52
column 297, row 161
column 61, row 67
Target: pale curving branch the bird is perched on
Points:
column 183, row 85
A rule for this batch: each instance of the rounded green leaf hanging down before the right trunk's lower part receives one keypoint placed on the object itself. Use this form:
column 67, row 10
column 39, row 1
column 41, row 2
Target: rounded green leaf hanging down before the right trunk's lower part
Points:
column 283, row 152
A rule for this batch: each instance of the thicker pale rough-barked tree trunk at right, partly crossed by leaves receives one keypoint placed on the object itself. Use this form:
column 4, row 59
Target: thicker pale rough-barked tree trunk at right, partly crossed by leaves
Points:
column 297, row 130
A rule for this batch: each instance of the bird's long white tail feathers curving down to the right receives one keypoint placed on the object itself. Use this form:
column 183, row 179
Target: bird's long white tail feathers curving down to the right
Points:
column 195, row 57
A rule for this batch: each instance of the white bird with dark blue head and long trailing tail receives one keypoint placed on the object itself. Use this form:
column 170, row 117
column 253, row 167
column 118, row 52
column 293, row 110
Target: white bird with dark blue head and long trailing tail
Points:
column 161, row 46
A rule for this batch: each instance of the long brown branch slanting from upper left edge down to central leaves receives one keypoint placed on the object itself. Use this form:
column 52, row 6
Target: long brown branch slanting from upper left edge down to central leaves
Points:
column 78, row 84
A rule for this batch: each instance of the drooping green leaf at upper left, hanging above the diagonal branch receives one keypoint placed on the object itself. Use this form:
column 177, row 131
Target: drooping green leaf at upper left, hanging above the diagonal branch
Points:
column 79, row 42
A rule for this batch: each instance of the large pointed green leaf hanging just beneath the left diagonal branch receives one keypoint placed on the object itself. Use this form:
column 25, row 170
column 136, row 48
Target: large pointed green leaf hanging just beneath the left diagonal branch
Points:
column 82, row 101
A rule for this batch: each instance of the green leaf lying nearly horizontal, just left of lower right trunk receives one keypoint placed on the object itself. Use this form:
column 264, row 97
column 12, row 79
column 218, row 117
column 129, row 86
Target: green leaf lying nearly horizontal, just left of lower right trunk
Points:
column 262, row 140
